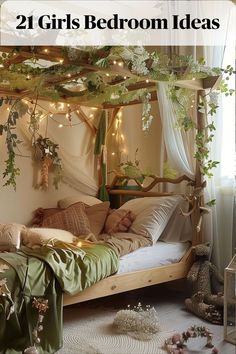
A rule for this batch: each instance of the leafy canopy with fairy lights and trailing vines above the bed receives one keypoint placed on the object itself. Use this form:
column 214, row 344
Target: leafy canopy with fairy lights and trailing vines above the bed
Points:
column 119, row 69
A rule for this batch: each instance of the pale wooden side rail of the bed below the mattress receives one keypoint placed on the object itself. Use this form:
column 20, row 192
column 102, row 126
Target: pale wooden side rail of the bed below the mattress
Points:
column 134, row 280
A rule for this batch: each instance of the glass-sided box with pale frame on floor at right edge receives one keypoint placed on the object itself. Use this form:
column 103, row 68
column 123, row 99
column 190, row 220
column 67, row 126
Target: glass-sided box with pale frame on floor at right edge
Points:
column 230, row 302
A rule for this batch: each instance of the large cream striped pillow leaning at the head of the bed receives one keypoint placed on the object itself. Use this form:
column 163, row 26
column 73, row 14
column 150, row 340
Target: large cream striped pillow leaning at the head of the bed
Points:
column 152, row 215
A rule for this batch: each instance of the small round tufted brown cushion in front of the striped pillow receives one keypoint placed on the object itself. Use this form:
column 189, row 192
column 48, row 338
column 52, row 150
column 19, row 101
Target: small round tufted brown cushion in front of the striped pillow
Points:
column 119, row 220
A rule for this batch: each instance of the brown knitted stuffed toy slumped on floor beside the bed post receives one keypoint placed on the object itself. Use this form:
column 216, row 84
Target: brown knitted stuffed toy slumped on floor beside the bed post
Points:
column 207, row 287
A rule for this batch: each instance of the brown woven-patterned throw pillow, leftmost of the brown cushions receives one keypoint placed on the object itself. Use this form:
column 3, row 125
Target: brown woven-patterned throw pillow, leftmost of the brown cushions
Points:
column 72, row 219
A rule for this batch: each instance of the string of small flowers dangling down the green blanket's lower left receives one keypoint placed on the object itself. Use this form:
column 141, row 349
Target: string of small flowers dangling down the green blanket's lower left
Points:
column 42, row 306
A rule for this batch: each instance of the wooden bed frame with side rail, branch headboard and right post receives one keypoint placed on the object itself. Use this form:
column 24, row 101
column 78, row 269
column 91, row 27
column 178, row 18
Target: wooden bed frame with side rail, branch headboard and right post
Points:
column 129, row 281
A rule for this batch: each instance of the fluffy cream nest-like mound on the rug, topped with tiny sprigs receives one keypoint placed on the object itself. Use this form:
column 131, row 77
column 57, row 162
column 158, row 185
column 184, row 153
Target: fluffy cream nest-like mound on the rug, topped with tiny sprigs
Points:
column 138, row 323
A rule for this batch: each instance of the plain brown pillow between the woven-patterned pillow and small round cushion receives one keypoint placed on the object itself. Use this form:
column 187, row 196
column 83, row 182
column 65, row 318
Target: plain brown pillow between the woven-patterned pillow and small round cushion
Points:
column 97, row 215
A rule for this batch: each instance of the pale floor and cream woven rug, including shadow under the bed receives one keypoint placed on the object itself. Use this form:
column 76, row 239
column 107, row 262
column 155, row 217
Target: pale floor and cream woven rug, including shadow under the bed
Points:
column 88, row 326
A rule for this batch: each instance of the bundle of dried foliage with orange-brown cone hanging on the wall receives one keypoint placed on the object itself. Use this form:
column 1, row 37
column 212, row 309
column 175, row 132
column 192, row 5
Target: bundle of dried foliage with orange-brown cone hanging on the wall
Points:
column 47, row 152
